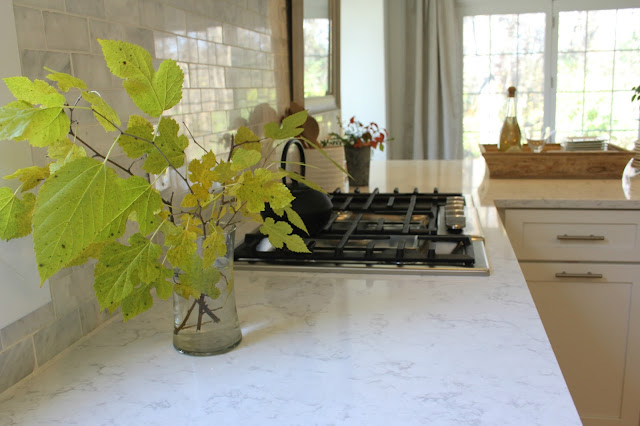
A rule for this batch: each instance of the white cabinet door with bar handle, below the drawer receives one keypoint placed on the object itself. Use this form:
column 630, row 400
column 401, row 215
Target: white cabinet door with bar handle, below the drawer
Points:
column 591, row 313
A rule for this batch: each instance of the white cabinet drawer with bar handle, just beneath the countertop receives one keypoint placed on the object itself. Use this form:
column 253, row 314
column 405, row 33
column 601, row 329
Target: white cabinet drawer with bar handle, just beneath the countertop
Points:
column 574, row 235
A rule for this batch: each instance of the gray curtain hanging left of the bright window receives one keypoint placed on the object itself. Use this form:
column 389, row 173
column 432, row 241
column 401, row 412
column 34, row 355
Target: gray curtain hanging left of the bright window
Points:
column 424, row 79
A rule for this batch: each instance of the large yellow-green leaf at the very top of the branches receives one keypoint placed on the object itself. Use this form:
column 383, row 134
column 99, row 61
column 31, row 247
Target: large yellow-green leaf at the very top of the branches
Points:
column 152, row 92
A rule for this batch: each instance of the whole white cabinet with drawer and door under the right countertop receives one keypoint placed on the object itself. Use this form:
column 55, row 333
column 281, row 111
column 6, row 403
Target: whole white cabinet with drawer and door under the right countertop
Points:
column 583, row 271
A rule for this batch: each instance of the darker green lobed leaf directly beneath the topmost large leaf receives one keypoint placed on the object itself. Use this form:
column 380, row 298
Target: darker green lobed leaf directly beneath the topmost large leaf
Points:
column 170, row 143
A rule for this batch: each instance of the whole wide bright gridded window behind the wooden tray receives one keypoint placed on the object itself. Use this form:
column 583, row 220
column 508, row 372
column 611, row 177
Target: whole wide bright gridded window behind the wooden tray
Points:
column 574, row 70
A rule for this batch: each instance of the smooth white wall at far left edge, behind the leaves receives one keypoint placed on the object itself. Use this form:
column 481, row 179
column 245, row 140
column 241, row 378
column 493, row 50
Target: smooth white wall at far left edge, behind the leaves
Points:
column 19, row 281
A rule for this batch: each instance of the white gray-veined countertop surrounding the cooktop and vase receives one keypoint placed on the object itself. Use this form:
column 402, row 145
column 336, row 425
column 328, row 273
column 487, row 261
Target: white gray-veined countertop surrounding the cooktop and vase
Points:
column 335, row 348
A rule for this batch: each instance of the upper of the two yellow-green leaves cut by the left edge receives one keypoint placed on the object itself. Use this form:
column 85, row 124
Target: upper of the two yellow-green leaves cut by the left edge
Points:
column 20, row 120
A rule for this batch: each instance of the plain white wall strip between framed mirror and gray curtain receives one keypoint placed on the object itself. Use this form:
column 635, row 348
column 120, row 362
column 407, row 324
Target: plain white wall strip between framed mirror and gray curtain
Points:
column 362, row 66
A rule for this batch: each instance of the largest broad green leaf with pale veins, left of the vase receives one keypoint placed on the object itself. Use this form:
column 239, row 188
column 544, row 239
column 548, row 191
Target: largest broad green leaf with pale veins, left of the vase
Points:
column 73, row 208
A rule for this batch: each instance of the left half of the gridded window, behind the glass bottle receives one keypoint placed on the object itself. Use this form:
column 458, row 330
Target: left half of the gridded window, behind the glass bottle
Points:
column 501, row 51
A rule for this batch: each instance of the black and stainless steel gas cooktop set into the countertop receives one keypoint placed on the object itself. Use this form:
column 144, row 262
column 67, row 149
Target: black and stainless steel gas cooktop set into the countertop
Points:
column 431, row 233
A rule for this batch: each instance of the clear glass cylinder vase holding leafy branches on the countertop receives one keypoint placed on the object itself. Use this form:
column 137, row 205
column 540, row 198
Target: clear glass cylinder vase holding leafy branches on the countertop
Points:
column 208, row 324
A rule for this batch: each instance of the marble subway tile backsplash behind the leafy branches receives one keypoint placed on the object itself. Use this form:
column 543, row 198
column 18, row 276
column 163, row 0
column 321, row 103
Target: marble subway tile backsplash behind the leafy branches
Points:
column 235, row 60
